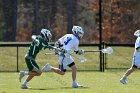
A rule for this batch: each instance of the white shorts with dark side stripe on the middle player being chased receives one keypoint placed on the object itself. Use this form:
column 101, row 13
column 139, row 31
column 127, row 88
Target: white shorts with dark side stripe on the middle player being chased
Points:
column 64, row 61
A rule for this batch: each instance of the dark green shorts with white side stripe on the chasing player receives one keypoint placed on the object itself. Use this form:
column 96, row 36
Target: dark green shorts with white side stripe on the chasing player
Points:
column 31, row 64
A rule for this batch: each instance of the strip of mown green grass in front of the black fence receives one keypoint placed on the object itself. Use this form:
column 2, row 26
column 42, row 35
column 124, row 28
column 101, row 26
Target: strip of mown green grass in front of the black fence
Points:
column 94, row 82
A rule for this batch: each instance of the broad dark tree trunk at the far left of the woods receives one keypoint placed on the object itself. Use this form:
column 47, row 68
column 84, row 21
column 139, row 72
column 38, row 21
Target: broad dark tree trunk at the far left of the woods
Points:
column 10, row 18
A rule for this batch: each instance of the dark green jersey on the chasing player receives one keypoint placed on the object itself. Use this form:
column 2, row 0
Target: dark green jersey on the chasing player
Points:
column 36, row 47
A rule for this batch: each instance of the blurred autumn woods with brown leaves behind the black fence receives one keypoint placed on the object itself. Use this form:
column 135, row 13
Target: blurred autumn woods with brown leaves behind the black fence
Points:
column 120, row 19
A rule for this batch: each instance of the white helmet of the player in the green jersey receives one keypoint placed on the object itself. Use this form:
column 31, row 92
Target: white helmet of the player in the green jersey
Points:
column 46, row 34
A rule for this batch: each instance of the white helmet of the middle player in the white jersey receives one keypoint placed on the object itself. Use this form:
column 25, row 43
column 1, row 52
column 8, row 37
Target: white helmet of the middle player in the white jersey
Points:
column 78, row 31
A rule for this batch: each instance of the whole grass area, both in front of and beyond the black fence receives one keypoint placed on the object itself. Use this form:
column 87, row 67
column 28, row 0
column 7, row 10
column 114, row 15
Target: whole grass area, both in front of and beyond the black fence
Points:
column 93, row 81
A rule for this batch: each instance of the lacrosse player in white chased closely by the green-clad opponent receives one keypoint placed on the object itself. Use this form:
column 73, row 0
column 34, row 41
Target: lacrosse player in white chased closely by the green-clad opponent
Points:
column 68, row 44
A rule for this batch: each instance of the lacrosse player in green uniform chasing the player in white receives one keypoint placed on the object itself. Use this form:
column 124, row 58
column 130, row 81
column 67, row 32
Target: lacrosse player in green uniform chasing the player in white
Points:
column 40, row 42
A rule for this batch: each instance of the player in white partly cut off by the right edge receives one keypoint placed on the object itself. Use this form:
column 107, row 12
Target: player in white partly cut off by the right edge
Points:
column 135, row 61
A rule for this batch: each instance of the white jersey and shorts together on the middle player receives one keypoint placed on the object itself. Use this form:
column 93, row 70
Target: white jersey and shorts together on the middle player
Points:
column 70, row 44
